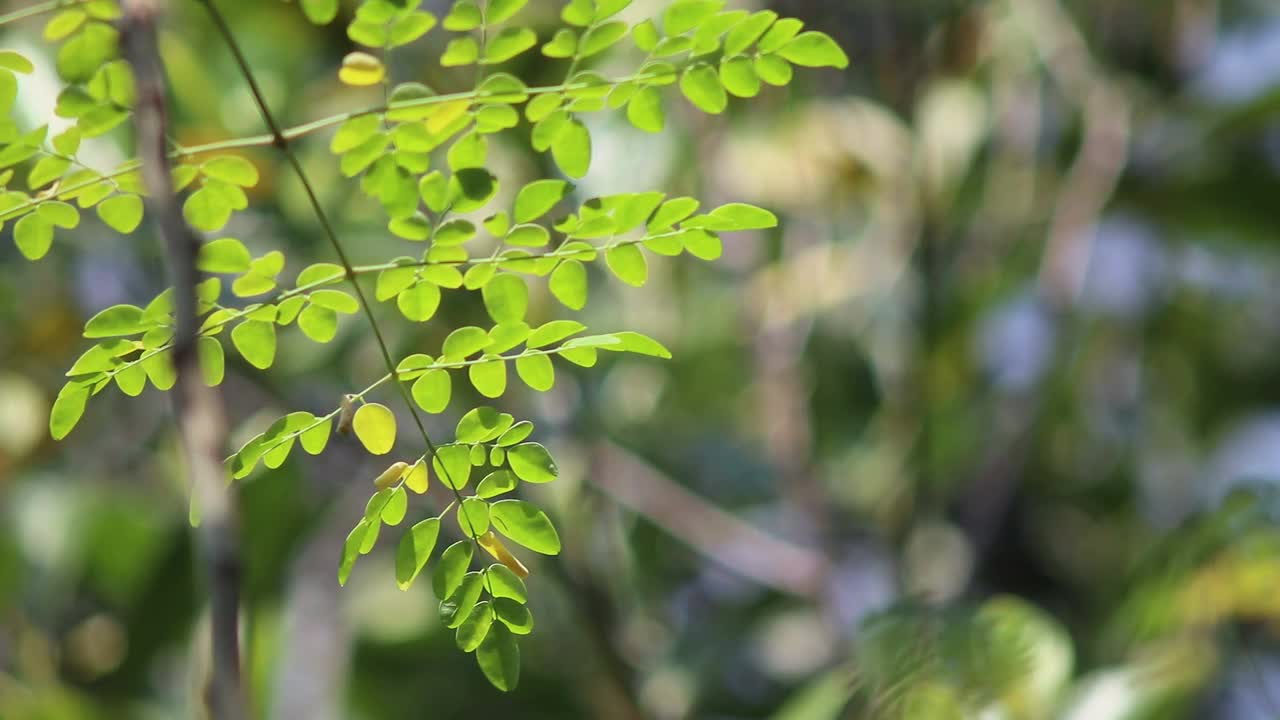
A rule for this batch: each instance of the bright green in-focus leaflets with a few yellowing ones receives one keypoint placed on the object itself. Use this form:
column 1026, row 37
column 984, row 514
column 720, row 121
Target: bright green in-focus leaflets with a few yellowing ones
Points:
column 424, row 160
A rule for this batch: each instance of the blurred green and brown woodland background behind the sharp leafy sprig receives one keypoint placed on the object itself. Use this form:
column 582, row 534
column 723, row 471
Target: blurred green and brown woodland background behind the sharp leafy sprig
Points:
column 989, row 427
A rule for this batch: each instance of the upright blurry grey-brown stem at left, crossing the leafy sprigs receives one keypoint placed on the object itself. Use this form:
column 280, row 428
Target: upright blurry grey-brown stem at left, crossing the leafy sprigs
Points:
column 198, row 407
